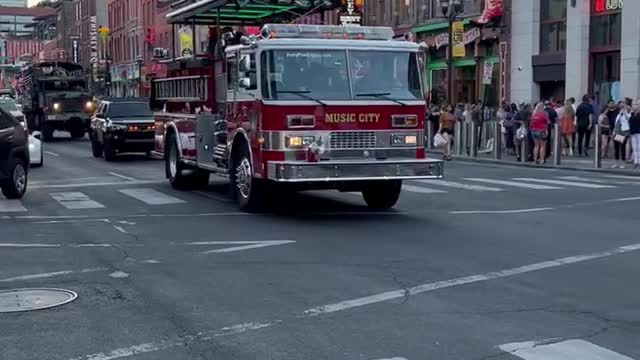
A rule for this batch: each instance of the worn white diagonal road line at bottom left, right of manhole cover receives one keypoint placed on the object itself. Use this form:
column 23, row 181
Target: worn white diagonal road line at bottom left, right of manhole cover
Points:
column 176, row 342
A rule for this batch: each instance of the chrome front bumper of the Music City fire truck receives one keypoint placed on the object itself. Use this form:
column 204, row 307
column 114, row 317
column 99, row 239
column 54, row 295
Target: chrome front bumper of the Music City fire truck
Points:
column 358, row 170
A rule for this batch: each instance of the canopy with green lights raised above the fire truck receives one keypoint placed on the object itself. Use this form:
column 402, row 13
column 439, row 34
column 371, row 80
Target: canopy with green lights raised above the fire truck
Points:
column 254, row 13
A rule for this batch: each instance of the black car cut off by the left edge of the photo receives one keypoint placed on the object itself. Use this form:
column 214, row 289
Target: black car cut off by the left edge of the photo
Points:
column 14, row 156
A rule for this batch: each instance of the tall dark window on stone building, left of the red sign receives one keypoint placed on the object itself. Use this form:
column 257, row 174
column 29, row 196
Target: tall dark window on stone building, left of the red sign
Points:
column 553, row 25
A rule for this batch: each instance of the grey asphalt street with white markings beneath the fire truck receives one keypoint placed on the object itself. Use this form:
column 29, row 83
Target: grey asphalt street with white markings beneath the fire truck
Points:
column 492, row 262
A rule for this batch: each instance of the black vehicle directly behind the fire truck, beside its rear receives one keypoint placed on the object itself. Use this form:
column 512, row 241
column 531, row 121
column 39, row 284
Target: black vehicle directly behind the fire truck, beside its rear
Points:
column 120, row 126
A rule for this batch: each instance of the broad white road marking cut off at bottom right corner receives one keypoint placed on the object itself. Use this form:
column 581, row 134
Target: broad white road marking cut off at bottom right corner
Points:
column 565, row 350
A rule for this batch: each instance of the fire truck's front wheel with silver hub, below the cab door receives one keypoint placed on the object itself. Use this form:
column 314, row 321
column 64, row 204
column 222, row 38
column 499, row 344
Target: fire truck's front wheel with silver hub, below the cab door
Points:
column 250, row 194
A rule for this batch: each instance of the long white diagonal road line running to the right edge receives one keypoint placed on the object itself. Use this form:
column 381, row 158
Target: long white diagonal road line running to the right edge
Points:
column 429, row 287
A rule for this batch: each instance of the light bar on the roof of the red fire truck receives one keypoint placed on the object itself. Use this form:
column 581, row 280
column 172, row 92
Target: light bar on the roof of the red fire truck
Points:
column 283, row 31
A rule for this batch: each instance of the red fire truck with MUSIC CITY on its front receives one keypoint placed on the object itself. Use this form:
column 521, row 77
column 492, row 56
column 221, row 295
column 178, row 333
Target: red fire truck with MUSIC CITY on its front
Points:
column 298, row 107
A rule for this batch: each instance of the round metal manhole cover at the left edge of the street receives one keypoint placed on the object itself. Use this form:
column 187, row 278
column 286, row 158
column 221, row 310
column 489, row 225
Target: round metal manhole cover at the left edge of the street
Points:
column 34, row 299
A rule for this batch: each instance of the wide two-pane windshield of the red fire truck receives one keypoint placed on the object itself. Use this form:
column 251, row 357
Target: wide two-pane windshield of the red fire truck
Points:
column 327, row 75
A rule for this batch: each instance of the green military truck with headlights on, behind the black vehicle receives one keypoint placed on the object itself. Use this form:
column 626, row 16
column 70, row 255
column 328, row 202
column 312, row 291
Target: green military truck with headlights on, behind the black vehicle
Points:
column 55, row 96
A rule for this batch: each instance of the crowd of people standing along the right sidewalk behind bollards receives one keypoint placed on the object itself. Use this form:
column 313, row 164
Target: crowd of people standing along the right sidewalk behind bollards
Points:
column 619, row 125
